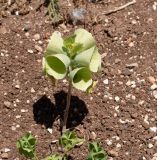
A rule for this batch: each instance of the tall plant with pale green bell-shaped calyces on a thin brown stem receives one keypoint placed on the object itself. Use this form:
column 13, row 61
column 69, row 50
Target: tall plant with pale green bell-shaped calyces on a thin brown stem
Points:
column 76, row 58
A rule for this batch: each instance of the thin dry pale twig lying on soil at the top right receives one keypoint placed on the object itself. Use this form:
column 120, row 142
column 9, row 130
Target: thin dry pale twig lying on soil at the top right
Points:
column 119, row 8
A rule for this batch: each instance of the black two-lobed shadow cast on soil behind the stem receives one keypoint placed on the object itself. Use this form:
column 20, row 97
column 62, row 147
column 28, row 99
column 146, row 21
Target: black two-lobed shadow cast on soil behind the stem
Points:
column 45, row 112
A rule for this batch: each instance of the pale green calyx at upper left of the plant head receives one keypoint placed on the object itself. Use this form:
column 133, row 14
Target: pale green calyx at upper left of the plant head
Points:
column 55, row 44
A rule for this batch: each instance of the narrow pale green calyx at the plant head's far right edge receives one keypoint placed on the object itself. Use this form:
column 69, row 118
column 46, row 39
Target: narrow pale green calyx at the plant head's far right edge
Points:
column 95, row 63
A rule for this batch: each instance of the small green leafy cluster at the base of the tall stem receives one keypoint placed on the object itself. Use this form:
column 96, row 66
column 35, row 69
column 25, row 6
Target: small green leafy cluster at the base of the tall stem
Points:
column 69, row 140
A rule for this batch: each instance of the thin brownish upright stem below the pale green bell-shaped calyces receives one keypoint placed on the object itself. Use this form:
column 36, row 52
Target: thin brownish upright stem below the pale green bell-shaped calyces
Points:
column 67, row 107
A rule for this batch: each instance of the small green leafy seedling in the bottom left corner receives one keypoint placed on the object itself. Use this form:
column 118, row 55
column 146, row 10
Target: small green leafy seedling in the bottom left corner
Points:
column 26, row 145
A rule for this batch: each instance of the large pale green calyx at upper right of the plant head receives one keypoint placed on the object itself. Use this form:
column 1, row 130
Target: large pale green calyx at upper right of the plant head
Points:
column 85, row 38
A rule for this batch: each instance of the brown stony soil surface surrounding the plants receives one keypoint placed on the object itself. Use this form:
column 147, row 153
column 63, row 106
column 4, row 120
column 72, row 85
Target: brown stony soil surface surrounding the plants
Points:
column 121, row 113
